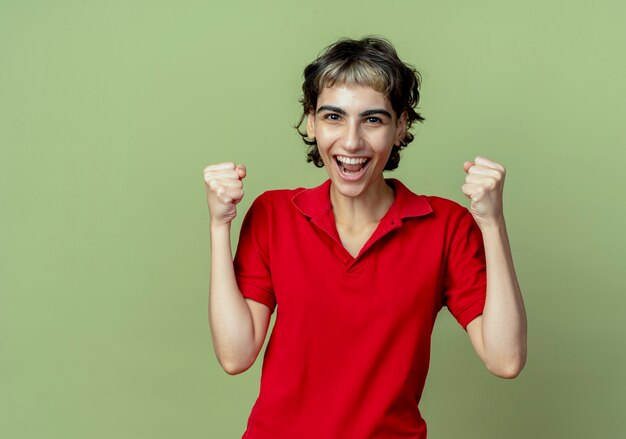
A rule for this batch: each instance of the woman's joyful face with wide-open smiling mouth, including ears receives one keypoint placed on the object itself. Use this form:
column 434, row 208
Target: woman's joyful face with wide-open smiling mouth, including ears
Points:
column 355, row 128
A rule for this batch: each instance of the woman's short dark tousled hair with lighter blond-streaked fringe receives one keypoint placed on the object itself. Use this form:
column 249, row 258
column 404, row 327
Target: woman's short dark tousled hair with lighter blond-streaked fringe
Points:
column 372, row 62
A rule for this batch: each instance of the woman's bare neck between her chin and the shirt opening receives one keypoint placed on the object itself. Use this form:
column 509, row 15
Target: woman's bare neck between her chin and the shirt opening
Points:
column 367, row 208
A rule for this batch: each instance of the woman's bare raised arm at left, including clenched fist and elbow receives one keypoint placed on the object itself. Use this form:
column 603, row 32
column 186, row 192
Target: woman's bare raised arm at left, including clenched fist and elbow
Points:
column 238, row 325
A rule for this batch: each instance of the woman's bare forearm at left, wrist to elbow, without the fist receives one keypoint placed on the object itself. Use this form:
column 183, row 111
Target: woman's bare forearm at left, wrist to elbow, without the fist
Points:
column 231, row 322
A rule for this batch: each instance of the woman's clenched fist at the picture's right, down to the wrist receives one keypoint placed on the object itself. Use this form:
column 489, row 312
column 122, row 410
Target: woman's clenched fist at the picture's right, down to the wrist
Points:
column 484, row 185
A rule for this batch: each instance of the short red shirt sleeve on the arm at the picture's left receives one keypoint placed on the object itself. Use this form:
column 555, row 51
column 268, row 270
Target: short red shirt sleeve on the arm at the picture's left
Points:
column 252, row 267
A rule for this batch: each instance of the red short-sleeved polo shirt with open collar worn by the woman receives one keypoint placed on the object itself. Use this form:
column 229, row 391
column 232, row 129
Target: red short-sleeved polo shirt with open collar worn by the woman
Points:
column 349, row 352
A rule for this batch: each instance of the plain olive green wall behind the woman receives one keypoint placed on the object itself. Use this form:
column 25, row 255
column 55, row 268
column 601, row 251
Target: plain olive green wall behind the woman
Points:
column 110, row 110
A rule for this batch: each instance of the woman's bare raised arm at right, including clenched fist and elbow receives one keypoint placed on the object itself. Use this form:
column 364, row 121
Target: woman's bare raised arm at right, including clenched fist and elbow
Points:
column 499, row 334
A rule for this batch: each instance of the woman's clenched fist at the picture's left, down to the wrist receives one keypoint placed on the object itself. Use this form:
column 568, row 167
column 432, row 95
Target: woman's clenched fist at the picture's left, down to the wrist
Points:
column 224, row 189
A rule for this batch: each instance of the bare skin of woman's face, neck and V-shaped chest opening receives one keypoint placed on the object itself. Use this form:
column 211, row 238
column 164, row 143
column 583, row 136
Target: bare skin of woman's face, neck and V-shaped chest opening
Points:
column 358, row 122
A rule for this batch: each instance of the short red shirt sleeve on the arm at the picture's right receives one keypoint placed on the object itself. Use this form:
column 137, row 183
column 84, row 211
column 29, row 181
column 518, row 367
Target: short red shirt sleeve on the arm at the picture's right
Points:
column 465, row 284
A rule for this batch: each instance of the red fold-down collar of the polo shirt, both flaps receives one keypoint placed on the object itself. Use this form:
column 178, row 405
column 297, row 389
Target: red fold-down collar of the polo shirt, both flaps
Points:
column 315, row 202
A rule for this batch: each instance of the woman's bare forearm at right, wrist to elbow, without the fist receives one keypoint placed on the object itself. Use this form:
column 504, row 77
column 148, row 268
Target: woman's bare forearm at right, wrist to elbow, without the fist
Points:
column 504, row 324
